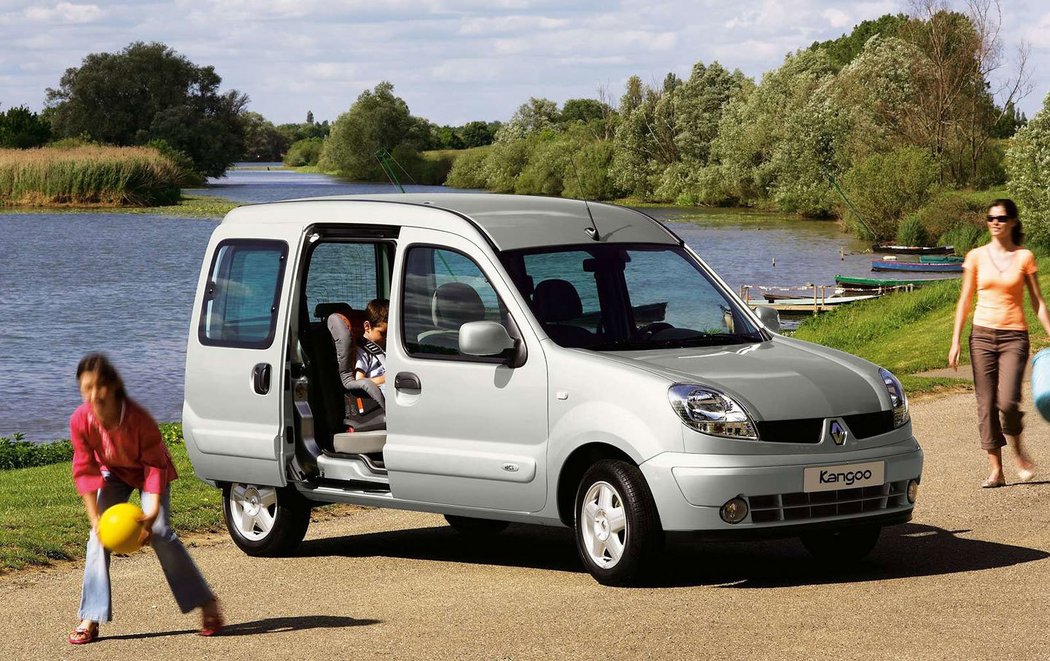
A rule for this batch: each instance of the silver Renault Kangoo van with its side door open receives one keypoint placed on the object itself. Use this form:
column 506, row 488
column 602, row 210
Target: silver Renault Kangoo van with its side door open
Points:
column 549, row 361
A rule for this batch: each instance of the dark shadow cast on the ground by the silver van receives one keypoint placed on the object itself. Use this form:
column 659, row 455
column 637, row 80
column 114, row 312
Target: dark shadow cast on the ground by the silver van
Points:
column 904, row 551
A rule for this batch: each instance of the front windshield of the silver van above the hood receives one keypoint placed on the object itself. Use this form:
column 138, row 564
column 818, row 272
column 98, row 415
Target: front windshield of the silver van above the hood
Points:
column 624, row 297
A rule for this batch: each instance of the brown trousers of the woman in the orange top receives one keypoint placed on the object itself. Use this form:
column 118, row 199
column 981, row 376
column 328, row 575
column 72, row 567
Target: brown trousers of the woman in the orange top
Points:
column 999, row 359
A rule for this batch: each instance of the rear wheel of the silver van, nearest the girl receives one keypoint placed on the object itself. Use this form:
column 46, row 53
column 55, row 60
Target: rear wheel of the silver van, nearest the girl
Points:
column 265, row 521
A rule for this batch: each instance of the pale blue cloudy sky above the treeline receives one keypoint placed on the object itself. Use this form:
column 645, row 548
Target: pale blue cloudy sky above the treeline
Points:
column 453, row 61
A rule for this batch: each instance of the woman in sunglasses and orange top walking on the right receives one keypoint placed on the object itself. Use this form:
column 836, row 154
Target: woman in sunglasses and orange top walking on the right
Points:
column 999, row 273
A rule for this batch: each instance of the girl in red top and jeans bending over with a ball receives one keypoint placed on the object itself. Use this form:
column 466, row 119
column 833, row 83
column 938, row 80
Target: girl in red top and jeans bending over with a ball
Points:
column 118, row 449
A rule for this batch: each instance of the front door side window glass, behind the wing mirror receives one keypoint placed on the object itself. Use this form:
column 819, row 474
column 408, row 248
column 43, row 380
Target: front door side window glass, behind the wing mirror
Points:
column 444, row 290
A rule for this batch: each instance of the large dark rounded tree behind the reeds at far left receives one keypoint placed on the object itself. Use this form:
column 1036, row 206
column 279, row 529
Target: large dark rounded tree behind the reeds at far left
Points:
column 149, row 92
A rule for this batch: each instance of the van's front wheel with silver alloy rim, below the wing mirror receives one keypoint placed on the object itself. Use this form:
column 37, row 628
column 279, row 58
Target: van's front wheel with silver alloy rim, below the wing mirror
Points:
column 618, row 527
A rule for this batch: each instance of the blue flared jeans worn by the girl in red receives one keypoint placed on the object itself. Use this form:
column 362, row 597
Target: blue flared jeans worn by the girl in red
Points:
column 184, row 579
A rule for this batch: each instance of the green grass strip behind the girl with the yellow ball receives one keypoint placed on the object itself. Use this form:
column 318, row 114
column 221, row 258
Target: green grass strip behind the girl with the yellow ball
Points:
column 43, row 520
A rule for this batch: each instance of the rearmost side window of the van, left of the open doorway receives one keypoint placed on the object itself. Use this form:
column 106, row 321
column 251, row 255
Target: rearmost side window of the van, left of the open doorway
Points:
column 244, row 286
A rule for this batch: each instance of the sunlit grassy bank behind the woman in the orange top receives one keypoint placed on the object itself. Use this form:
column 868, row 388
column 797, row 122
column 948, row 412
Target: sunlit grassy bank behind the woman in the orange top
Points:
column 909, row 333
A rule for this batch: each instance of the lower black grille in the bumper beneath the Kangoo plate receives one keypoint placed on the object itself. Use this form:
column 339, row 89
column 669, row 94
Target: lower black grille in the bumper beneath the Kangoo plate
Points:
column 796, row 507
